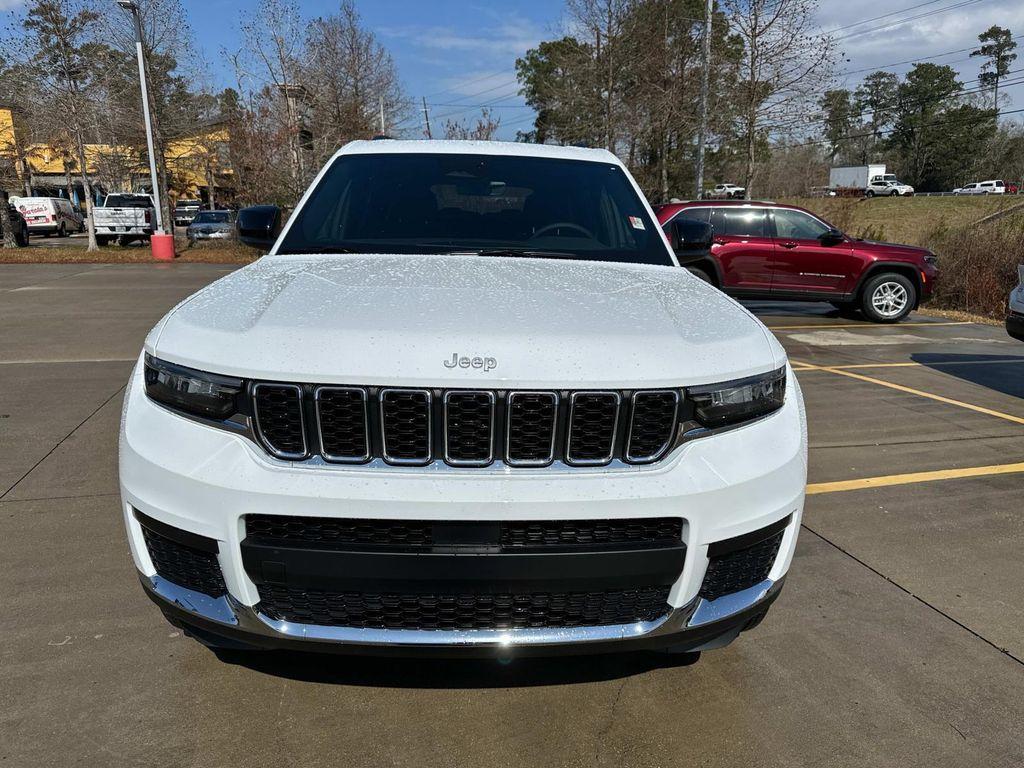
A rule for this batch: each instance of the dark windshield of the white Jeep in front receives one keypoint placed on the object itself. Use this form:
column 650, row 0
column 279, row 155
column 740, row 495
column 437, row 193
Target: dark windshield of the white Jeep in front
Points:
column 414, row 203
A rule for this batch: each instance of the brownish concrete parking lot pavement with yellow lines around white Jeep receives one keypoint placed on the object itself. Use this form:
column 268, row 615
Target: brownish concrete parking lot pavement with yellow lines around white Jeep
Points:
column 899, row 641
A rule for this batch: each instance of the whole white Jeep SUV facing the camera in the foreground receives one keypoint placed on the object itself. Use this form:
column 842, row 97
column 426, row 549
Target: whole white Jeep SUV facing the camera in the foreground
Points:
column 468, row 403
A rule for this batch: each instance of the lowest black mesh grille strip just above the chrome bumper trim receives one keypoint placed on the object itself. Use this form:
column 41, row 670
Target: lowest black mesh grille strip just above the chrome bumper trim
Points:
column 464, row 612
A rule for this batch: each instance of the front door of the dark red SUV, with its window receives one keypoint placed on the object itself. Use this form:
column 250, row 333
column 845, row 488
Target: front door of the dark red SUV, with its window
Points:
column 807, row 262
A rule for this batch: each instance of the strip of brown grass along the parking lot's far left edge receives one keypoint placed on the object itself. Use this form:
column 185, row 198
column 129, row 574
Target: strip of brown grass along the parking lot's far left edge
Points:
column 208, row 253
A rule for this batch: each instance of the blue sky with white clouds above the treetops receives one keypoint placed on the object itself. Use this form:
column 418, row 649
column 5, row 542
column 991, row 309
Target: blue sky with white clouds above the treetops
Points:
column 463, row 54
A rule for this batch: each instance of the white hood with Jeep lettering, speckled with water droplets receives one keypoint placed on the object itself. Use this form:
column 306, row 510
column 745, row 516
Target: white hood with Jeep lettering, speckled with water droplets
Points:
column 422, row 321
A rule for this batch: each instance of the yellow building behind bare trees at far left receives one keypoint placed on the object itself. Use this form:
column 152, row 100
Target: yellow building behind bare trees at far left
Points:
column 195, row 165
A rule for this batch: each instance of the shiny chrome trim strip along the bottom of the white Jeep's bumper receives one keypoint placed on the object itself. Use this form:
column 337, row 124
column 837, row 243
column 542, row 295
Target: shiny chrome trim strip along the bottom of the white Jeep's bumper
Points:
column 229, row 612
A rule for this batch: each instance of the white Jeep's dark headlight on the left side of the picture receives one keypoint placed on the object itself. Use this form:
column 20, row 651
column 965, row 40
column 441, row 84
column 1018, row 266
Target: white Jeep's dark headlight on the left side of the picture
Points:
column 192, row 392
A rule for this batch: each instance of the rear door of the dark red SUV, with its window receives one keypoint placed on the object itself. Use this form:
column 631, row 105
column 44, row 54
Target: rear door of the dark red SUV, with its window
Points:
column 743, row 248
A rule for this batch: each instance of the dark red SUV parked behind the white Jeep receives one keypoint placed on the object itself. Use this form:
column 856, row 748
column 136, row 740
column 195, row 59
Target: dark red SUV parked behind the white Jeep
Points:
column 770, row 251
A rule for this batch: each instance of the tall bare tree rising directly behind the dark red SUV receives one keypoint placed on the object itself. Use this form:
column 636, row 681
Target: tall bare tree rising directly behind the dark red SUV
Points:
column 786, row 61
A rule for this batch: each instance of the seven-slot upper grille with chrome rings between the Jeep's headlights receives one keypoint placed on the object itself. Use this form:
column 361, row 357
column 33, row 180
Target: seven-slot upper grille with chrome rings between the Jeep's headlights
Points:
column 433, row 429
